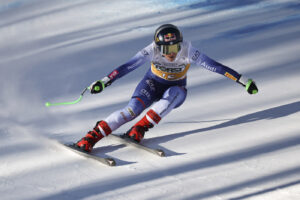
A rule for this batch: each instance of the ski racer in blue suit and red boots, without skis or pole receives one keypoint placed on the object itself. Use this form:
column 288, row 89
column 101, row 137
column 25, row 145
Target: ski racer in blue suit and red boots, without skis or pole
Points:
column 163, row 86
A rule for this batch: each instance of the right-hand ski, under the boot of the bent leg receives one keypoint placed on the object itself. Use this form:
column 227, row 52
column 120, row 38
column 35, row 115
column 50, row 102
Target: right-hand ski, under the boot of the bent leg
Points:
column 131, row 142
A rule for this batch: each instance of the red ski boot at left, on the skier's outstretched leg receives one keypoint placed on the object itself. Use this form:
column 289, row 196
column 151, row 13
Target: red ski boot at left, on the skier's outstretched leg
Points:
column 92, row 137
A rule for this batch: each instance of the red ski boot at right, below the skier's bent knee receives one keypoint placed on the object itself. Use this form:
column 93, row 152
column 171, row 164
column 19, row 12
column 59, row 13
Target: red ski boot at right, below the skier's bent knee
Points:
column 137, row 132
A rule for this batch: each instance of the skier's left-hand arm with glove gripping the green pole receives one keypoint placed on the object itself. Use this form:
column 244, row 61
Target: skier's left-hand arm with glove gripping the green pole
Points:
column 136, row 61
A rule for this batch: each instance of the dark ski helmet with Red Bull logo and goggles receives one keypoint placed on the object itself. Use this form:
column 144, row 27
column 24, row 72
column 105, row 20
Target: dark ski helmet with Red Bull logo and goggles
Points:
column 167, row 37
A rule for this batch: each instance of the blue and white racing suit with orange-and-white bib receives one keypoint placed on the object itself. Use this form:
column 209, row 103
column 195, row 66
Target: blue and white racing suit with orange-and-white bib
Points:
column 164, row 84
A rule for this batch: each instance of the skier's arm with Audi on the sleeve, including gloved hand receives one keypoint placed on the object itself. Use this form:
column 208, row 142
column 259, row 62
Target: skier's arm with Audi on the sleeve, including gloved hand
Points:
column 203, row 60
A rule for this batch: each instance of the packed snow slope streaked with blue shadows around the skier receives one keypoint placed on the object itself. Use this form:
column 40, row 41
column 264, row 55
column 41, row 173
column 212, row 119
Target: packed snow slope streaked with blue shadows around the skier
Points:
column 222, row 143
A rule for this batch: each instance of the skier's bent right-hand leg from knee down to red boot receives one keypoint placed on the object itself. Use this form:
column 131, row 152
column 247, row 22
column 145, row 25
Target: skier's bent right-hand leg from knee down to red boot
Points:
column 172, row 98
